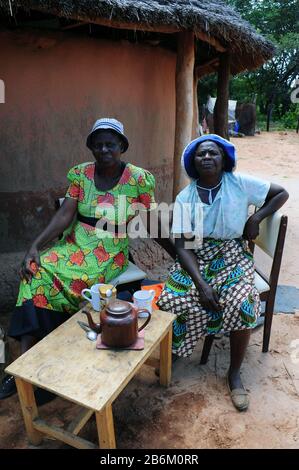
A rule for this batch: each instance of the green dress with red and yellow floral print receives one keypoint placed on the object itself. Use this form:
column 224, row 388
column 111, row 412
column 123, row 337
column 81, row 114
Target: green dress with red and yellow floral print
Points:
column 85, row 255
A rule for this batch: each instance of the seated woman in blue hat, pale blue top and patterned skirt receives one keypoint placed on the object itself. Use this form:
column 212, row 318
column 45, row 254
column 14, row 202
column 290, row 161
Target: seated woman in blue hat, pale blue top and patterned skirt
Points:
column 211, row 287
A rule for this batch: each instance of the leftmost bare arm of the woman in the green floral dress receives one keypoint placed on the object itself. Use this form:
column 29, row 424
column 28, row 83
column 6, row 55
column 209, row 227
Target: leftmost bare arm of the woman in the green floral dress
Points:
column 61, row 220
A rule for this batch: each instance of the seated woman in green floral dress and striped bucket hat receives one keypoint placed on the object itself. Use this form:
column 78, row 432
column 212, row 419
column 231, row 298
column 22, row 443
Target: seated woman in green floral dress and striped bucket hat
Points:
column 106, row 192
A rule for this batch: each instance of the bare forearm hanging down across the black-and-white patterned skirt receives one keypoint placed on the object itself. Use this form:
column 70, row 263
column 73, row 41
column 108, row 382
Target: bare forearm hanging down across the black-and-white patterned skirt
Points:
column 208, row 296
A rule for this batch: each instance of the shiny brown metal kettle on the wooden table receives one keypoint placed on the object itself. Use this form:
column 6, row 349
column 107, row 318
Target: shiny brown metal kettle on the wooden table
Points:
column 118, row 323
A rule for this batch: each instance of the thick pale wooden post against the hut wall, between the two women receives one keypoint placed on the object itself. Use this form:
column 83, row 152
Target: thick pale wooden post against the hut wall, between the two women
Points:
column 184, row 103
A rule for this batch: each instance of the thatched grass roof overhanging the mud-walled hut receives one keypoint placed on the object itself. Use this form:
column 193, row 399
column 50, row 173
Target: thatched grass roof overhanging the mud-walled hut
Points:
column 213, row 20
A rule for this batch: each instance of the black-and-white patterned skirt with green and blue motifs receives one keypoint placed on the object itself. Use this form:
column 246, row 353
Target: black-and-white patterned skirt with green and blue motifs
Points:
column 227, row 266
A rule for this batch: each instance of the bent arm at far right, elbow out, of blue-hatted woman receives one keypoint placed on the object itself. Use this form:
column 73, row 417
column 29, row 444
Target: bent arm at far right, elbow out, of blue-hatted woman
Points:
column 275, row 199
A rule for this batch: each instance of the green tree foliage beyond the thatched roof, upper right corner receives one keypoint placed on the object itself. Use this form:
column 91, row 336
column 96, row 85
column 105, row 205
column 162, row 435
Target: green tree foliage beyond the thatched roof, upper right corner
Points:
column 272, row 83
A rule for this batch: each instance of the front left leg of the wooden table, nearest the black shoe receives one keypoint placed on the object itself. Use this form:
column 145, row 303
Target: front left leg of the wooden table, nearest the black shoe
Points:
column 29, row 410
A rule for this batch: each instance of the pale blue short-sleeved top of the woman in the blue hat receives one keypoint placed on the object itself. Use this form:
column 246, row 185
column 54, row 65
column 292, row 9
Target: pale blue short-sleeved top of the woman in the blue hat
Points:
column 225, row 218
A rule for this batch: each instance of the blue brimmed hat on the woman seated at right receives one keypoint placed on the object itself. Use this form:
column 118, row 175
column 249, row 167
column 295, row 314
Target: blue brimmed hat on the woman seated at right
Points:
column 227, row 147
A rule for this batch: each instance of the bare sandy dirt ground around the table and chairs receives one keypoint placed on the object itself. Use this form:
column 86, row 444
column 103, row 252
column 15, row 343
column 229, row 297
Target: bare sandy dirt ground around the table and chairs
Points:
column 196, row 411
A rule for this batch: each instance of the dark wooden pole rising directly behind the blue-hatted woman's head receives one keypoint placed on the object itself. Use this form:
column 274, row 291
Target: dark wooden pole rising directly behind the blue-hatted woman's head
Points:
column 221, row 105
